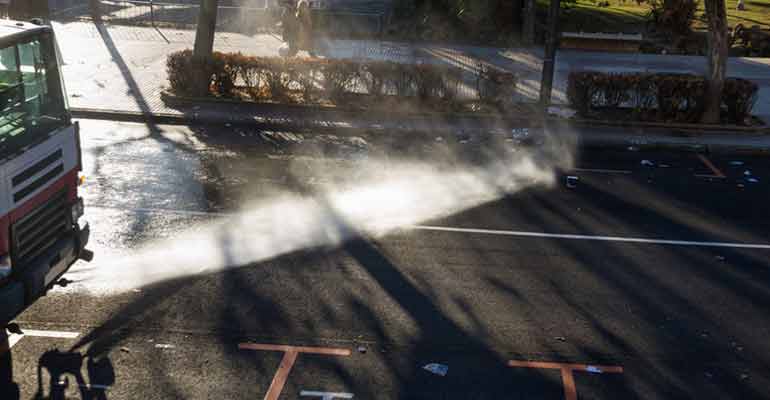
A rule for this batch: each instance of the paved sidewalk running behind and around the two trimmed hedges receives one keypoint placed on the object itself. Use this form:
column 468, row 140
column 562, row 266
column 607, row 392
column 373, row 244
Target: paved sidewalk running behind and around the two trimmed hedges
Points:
column 114, row 69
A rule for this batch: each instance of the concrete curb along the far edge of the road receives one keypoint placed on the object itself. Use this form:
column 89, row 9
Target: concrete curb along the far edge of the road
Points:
column 585, row 135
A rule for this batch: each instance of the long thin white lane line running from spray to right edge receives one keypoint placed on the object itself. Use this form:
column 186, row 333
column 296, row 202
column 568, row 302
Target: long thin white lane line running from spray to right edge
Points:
column 593, row 238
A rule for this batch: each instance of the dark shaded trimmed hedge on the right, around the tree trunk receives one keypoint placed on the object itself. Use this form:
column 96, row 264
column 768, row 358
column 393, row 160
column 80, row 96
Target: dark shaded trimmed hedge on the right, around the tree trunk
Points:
column 657, row 97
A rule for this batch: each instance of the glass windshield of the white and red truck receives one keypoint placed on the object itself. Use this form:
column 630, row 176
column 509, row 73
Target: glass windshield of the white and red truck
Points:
column 32, row 102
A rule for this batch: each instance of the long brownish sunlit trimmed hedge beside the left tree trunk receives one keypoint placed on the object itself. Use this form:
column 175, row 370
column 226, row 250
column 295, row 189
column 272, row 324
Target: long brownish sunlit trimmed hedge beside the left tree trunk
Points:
column 310, row 80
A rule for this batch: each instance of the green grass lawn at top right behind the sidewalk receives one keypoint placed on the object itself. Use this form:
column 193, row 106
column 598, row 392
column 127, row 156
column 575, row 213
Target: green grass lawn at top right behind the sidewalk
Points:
column 630, row 17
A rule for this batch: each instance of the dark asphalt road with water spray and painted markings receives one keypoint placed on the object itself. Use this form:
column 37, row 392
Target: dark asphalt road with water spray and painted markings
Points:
column 233, row 264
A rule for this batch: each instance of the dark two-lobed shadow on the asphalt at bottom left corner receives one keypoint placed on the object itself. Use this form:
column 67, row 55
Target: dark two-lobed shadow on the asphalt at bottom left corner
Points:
column 63, row 365
